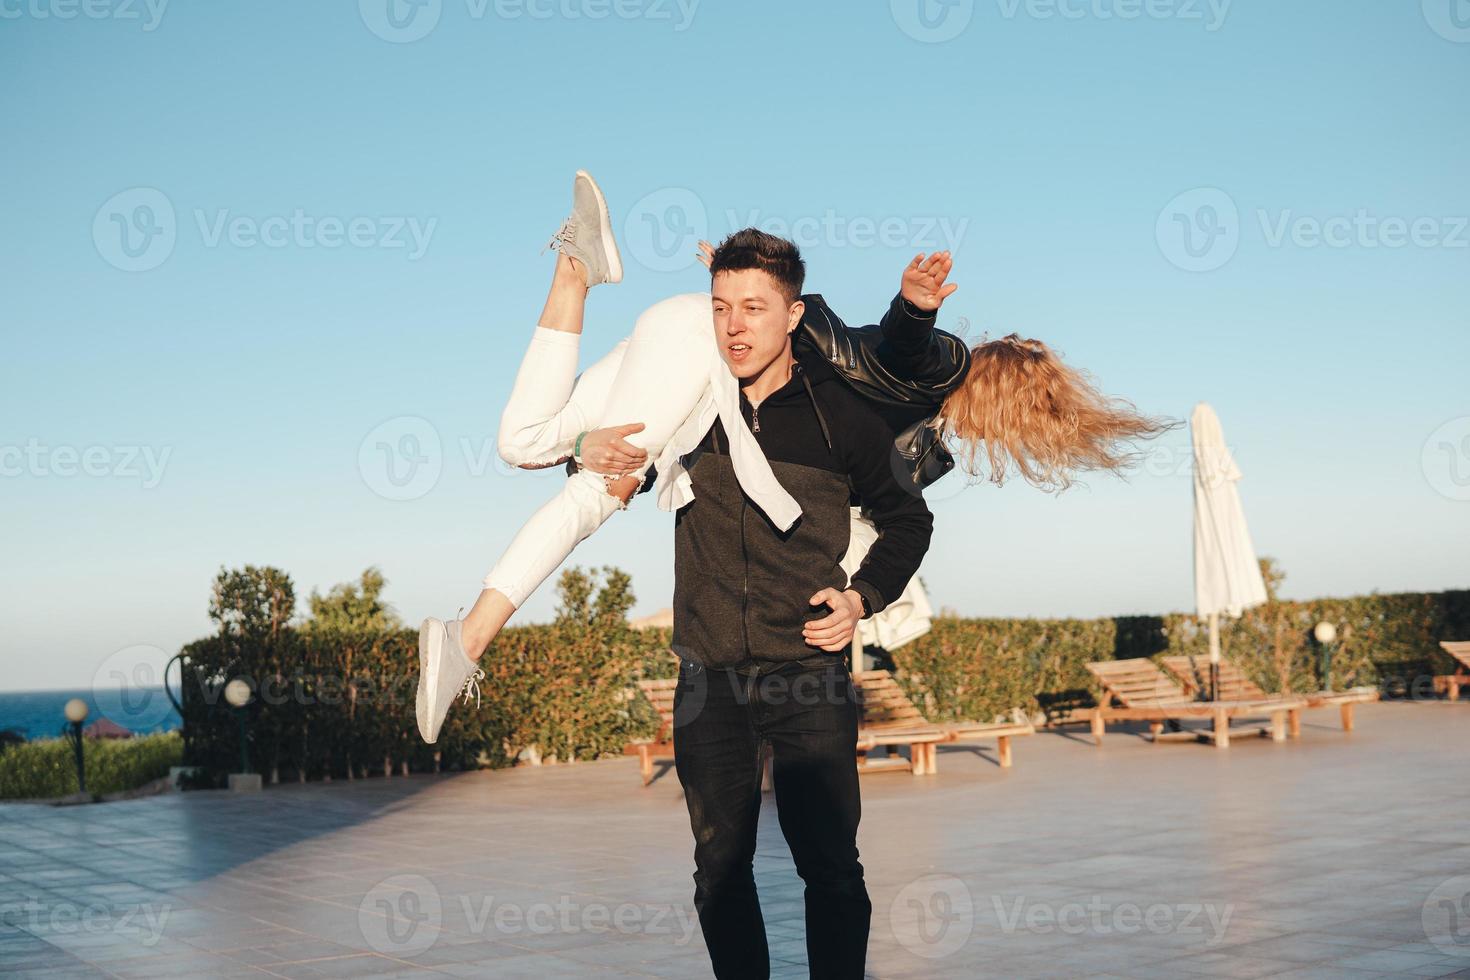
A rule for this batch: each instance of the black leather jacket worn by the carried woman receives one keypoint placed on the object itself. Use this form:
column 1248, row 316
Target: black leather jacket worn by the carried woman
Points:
column 905, row 367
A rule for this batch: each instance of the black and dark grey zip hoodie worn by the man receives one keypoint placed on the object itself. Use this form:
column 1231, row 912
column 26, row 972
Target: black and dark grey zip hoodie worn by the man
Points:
column 742, row 586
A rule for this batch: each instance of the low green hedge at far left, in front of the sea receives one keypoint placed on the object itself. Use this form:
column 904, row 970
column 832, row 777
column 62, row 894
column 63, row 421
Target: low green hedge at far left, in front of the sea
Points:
column 48, row 768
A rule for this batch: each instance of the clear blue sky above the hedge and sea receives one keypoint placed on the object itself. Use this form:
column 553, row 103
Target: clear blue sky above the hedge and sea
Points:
column 334, row 217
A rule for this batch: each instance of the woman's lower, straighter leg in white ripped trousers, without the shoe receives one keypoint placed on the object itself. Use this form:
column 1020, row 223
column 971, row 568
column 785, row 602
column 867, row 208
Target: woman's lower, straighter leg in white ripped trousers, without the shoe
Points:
column 661, row 381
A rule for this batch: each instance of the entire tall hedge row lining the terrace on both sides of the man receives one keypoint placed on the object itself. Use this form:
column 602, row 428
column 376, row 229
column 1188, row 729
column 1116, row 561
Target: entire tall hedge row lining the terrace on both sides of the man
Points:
column 336, row 694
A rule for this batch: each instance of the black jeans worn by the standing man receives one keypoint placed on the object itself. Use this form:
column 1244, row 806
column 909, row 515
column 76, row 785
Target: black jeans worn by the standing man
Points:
column 809, row 713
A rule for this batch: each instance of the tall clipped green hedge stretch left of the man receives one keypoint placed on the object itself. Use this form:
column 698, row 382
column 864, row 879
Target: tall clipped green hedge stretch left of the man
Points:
column 337, row 703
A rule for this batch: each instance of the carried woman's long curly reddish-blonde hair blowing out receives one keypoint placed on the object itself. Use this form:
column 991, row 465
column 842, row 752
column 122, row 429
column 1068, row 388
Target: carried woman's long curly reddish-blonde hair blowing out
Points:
column 1022, row 408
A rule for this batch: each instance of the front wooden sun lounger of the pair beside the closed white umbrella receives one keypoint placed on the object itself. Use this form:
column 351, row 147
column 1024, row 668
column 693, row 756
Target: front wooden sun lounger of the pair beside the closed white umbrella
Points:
column 1146, row 694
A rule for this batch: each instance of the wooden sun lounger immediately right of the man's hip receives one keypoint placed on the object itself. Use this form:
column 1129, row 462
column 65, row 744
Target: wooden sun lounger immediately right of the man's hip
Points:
column 892, row 719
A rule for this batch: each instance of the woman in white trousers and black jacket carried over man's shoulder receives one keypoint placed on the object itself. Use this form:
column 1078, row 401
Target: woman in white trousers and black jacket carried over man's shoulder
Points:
column 661, row 390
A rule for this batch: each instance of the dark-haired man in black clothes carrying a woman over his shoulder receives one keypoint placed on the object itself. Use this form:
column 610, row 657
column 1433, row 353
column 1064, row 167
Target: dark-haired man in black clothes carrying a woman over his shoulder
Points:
column 762, row 618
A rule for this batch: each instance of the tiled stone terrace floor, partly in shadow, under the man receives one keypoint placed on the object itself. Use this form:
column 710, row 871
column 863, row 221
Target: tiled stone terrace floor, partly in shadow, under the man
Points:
column 1334, row 856
